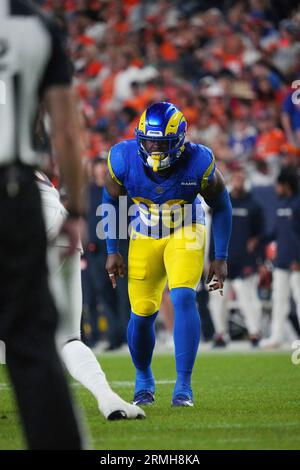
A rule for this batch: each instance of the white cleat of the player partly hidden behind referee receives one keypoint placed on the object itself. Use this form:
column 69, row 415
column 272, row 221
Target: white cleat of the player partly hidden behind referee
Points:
column 114, row 407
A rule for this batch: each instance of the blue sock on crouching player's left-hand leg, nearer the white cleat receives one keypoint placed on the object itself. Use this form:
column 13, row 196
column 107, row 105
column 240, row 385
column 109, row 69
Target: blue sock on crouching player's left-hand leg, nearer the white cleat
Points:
column 141, row 342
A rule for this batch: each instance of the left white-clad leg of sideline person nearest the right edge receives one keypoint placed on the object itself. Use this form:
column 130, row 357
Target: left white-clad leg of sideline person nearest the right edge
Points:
column 280, row 307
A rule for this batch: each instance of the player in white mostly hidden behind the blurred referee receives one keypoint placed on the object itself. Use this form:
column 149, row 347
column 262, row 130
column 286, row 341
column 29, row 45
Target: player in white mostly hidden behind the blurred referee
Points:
column 65, row 283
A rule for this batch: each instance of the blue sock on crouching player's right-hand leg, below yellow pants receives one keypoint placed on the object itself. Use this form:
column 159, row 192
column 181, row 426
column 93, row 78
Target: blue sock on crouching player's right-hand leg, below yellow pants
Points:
column 186, row 336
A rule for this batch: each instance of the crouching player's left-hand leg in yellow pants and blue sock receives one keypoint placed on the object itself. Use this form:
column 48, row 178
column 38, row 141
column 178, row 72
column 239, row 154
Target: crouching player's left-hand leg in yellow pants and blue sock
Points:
column 146, row 281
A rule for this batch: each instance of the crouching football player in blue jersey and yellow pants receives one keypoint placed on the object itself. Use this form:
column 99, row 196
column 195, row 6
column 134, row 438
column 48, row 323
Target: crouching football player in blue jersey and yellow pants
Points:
column 164, row 175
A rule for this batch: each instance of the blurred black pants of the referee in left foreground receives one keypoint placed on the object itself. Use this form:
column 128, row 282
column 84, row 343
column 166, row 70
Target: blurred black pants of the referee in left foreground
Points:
column 28, row 318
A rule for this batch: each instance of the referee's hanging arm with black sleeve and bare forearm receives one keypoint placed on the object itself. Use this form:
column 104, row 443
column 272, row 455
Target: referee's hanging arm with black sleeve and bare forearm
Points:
column 56, row 90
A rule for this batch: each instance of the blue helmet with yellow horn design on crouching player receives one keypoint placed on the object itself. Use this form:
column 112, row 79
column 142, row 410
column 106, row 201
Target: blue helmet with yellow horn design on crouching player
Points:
column 160, row 135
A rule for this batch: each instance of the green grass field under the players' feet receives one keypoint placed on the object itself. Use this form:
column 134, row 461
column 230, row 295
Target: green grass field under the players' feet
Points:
column 242, row 401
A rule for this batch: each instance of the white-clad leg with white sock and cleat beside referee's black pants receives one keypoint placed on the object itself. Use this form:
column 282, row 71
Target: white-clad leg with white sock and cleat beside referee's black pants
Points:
column 80, row 361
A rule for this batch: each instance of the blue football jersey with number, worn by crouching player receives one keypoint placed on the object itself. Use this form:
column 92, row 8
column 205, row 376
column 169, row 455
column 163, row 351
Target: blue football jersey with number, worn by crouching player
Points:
column 162, row 203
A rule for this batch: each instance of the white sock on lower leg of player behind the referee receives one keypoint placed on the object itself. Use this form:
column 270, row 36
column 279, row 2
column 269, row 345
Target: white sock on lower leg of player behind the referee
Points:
column 82, row 364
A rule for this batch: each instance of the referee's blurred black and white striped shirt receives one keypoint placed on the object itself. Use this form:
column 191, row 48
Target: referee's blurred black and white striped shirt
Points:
column 32, row 59
